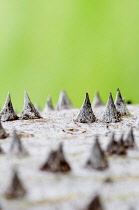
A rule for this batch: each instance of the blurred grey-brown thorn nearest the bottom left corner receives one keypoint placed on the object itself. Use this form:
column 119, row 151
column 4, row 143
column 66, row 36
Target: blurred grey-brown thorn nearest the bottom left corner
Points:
column 16, row 189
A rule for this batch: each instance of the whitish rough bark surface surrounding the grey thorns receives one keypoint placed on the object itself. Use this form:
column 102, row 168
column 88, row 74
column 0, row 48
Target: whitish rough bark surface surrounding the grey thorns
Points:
column 76, row 189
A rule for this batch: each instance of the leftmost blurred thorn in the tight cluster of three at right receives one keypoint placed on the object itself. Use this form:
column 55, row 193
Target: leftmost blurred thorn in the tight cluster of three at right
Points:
column 112, row 145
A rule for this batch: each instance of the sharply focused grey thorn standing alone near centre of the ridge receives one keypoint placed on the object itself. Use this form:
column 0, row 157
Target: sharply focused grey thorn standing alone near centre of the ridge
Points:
column 86, row 114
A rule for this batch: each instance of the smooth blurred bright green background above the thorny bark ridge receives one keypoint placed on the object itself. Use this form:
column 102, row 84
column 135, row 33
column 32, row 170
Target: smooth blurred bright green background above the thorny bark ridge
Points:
column 76, row 45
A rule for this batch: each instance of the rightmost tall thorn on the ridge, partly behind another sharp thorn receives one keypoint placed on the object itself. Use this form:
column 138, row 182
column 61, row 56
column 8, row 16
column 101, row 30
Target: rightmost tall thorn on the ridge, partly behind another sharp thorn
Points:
column 120, row 104
